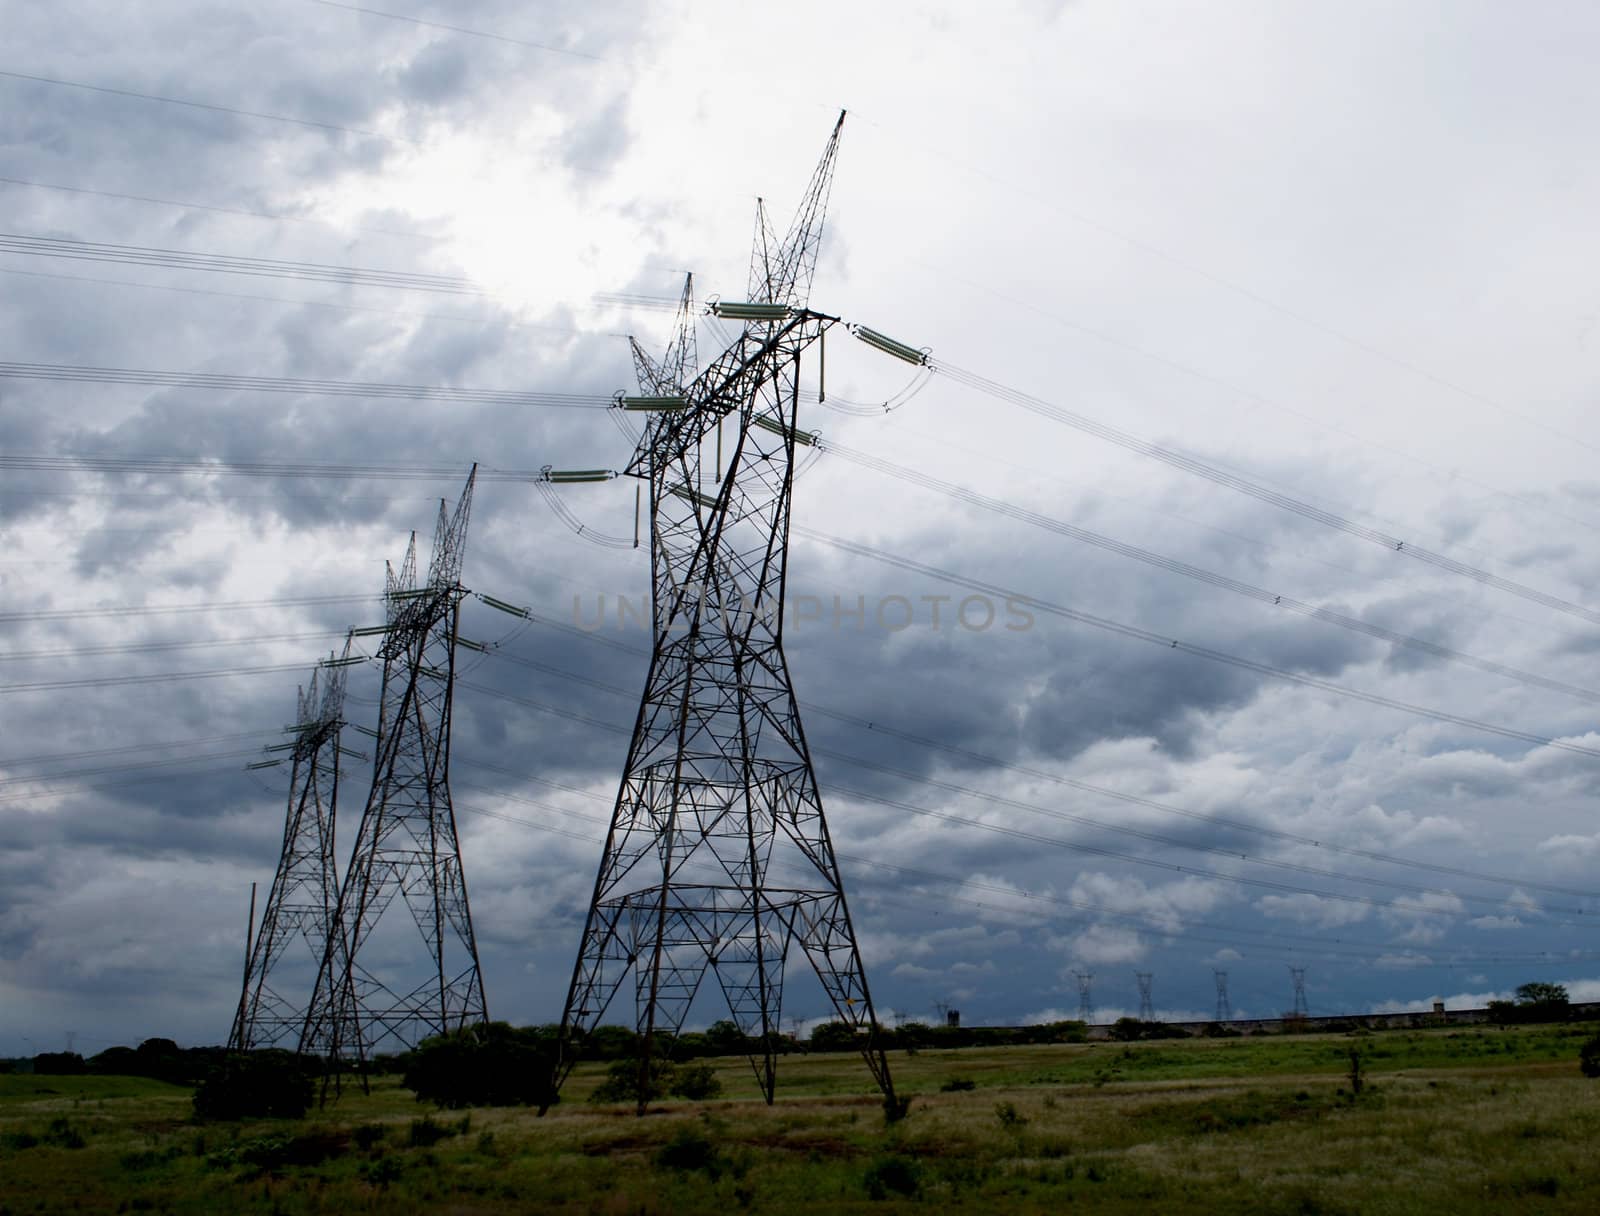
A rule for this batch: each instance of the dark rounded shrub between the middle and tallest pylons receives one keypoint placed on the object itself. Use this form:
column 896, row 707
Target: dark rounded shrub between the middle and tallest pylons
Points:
column 492, row 1065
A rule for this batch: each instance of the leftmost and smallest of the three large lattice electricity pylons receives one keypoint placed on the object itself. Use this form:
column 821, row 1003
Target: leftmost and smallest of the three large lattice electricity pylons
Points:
column 306, row 887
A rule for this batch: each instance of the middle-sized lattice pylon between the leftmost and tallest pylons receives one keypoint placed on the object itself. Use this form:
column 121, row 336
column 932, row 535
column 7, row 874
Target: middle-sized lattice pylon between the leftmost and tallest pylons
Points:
column 407, row 844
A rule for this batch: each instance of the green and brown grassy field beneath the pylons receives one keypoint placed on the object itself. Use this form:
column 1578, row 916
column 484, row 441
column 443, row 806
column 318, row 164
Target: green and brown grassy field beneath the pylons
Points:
column 1447, row 1121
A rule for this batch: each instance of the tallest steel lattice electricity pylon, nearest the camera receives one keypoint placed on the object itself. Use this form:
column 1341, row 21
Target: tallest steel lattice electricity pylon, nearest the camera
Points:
column 719, row 858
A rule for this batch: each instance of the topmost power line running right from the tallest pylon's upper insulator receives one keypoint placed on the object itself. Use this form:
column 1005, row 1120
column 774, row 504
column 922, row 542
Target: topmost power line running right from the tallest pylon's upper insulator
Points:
column 1193, row 465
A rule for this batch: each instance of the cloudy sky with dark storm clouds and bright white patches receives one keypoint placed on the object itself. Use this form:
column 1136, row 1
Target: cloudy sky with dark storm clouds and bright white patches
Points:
column 1332, row 254
